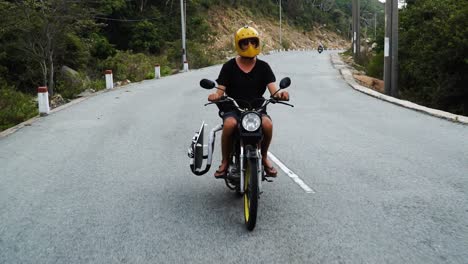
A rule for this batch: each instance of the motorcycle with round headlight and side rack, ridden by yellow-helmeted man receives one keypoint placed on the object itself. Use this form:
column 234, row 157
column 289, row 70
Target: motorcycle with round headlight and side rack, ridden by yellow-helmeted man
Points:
column 245, row 173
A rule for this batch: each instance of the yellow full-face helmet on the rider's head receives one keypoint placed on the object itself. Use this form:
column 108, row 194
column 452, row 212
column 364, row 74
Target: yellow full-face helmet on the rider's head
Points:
column 250, row 37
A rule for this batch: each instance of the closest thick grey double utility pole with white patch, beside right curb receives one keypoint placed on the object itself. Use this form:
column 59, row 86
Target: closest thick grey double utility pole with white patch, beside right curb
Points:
column 391, row 48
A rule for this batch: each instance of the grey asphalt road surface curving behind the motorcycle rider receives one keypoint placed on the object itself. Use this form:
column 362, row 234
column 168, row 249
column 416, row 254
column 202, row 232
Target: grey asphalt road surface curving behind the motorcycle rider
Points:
column 107, row 180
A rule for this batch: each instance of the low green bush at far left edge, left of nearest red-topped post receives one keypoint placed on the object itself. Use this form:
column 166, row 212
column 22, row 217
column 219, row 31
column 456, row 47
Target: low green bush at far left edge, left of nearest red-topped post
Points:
column 15, row 107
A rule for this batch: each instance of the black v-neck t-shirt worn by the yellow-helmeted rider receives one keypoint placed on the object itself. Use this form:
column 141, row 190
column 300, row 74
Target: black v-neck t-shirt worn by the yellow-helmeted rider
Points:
column 246, row 86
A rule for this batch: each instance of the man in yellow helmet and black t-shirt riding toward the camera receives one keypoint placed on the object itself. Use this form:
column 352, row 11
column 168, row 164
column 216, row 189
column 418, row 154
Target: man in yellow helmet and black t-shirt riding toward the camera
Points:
column 245, row 78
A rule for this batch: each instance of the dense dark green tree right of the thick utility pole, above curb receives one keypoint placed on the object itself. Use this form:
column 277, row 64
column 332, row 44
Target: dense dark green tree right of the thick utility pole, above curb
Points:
column 433, row 54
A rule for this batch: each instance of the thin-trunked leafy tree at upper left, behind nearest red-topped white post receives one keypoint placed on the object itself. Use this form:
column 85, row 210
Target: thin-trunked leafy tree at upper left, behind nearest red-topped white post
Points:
column 42, row 30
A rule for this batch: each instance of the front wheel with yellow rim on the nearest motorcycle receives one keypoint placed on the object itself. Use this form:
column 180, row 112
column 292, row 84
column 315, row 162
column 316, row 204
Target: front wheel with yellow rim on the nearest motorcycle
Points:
column 250, row 193
